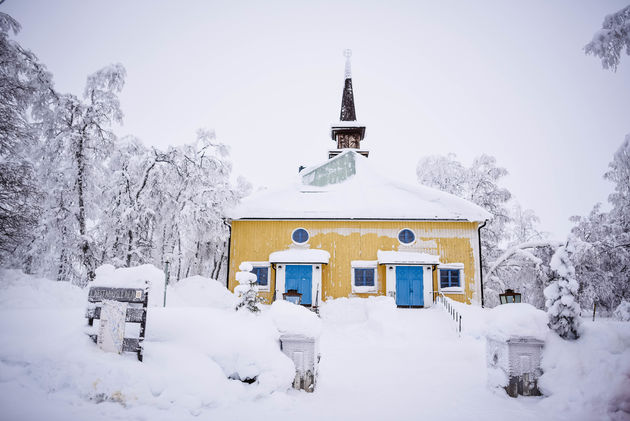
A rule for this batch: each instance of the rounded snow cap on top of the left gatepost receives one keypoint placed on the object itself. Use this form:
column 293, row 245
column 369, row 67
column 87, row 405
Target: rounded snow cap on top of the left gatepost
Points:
column 295, row 319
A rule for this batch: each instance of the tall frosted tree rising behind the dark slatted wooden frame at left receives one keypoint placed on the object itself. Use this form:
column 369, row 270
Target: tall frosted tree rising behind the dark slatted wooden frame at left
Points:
column 77, row 141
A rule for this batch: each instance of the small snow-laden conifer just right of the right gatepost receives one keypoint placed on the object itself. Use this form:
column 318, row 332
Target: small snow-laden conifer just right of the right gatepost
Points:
column 562, row 306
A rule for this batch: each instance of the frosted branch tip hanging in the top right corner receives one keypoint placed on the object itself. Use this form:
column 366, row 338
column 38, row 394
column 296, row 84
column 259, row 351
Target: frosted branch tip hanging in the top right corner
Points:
column 609, row 42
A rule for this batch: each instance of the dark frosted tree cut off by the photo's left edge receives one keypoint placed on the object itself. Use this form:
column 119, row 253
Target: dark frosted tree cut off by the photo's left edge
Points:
column 25, row 87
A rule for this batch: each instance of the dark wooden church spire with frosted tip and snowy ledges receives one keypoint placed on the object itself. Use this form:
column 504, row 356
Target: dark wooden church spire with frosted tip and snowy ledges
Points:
column 347, row 133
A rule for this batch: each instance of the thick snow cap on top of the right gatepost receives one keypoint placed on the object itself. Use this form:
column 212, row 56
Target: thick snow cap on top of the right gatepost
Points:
column 518, row 319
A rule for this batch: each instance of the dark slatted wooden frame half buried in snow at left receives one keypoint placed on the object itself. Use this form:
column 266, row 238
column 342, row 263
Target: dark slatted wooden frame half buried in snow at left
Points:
column 136, row 299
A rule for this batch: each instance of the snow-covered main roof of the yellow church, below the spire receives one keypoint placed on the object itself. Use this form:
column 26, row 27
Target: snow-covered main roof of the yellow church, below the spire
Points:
column 348, row 187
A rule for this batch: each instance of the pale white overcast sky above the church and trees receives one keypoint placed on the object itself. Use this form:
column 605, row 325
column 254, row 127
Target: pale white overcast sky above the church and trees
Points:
column 507, row 79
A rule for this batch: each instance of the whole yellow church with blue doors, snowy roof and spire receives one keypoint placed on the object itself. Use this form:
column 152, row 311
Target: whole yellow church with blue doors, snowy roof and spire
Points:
column 343, row 229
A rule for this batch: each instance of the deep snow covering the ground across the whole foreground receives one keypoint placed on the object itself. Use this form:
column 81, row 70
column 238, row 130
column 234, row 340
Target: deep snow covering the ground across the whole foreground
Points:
column 378, row 362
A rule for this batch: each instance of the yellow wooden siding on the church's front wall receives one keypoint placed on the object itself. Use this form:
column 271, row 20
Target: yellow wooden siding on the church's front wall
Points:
column 254, row 240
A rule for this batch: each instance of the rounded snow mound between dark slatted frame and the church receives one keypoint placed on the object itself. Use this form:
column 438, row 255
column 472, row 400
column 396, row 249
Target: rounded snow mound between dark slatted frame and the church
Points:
column 198, row 291
